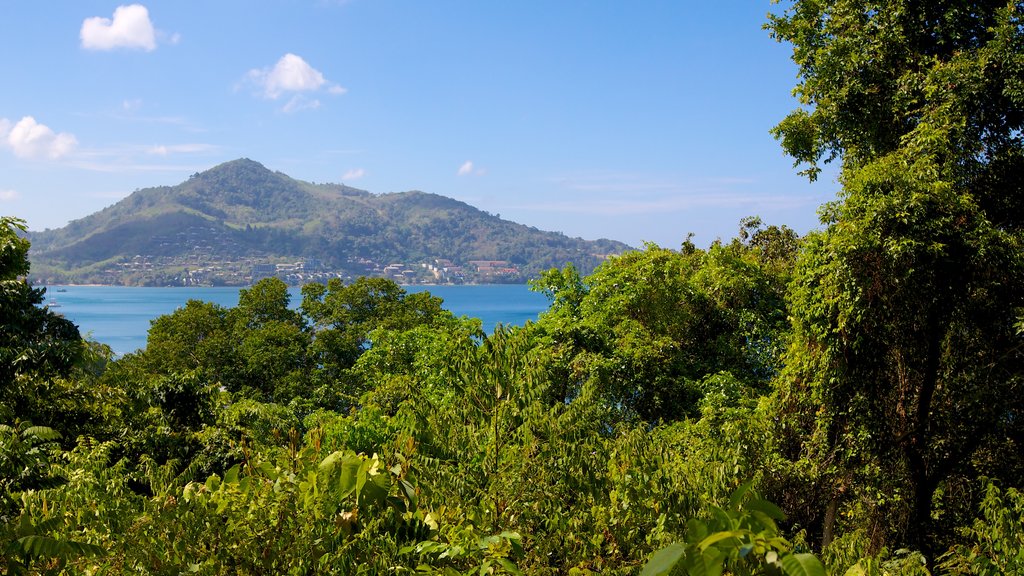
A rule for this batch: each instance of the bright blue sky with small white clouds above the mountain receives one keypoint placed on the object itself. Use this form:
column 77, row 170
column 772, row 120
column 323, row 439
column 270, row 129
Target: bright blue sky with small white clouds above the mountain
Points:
column 635, row 121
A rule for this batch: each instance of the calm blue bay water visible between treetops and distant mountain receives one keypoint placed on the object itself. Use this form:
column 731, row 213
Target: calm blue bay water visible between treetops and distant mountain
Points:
column 120, row 316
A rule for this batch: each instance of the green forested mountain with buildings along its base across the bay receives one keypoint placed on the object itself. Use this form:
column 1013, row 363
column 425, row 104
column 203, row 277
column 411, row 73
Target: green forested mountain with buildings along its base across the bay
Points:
column 240, row 221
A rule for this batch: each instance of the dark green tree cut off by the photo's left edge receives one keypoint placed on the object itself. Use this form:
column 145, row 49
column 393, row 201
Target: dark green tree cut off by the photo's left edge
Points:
column 36, row 348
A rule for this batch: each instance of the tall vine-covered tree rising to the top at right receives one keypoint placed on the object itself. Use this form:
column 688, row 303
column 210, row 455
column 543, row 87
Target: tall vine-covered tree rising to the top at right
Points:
column 907, row 371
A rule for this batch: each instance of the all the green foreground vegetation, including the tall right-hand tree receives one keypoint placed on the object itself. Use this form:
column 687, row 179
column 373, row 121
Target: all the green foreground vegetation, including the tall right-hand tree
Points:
column 844, row 403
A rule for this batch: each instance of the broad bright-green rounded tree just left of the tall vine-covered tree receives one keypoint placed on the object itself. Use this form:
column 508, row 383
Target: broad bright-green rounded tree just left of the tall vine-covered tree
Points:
column 650, row 327
